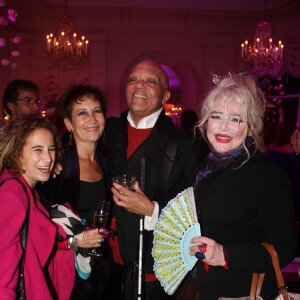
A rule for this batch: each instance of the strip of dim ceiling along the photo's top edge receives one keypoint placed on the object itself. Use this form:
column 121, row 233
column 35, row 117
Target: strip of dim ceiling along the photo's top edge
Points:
column 216, row 5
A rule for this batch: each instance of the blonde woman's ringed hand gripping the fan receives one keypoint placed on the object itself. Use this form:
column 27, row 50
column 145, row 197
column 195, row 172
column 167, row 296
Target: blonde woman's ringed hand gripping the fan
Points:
column 213, row 252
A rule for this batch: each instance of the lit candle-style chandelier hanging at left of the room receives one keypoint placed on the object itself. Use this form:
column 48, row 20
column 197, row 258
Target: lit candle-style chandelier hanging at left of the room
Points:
column 66, row 50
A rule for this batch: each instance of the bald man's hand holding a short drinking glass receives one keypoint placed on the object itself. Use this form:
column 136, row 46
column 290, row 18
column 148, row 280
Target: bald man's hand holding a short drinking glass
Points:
column 133, row 201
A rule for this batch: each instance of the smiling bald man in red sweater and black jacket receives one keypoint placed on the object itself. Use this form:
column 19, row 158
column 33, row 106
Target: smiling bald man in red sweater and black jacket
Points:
column 144, row 131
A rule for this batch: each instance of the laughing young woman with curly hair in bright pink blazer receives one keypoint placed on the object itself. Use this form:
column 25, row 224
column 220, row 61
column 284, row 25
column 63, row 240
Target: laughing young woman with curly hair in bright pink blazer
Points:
column 28, row 152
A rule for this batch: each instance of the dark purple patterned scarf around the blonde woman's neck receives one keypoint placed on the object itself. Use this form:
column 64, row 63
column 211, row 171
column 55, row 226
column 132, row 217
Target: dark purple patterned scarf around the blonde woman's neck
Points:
column 217, row 160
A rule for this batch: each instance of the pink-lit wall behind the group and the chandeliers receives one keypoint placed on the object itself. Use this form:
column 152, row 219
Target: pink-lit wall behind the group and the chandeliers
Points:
column 192, row 43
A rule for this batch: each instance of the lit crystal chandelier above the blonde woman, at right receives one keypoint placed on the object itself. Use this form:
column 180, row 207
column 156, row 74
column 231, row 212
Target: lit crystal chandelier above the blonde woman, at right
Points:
column 263, row 57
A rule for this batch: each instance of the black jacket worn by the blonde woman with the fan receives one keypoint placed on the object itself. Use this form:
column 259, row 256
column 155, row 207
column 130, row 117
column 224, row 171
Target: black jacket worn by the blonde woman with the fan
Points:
column 240, row 207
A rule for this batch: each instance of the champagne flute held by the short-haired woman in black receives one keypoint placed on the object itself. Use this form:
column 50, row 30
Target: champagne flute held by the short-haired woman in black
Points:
column 100, row 220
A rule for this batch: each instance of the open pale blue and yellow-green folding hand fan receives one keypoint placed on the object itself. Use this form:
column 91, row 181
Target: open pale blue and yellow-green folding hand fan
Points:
column 176, row 226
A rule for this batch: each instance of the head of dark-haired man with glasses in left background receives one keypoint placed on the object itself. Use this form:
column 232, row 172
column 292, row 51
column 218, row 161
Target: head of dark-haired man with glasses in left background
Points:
column 21, row 97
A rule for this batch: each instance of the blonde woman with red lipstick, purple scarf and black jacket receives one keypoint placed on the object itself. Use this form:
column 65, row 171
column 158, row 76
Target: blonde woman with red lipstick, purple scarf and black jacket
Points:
column 242, row 198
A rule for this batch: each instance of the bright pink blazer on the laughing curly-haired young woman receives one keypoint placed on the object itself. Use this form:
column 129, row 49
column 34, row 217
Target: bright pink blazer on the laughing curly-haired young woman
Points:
column 40, row 244
